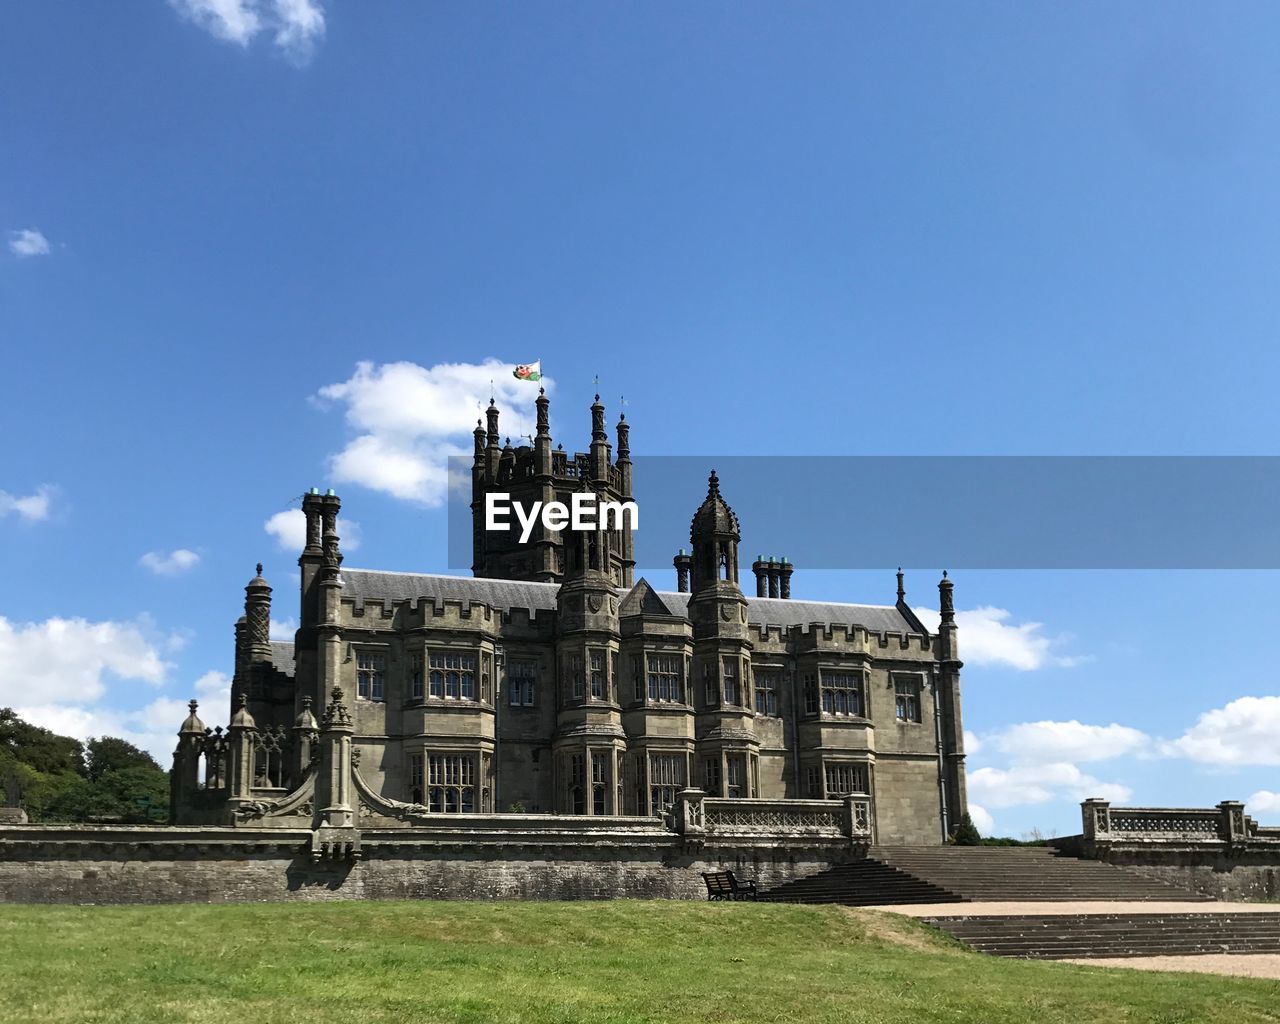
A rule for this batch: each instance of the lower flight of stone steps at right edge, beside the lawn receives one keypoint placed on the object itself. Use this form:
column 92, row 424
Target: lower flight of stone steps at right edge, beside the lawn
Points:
column 1059, row 938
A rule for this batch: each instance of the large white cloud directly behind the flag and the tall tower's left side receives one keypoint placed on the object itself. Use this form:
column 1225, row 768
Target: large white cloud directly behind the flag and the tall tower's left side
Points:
column 412, row 419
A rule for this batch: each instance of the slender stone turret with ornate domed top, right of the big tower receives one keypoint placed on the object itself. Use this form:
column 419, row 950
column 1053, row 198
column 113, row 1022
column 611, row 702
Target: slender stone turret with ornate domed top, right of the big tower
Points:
column 726, row 761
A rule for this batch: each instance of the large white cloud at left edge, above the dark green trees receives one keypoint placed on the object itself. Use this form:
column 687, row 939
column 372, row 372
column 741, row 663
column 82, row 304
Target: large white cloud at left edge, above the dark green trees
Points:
column 68, row 660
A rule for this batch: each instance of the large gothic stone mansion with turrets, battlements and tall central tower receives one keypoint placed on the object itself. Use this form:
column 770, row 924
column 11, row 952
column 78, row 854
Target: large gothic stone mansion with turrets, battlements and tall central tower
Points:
column 554, row 683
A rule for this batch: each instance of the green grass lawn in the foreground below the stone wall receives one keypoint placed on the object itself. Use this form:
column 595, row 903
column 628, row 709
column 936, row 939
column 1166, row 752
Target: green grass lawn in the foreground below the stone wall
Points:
column 533, row 962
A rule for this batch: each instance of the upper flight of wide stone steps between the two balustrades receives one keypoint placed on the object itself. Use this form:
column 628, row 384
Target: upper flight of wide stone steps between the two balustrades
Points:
column 926, row 875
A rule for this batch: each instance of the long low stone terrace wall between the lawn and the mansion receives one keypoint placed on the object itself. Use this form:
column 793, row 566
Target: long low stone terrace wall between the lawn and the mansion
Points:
column 159, row 866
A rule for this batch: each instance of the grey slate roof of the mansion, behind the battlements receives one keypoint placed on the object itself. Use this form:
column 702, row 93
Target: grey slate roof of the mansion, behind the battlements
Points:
column 362, row 586
